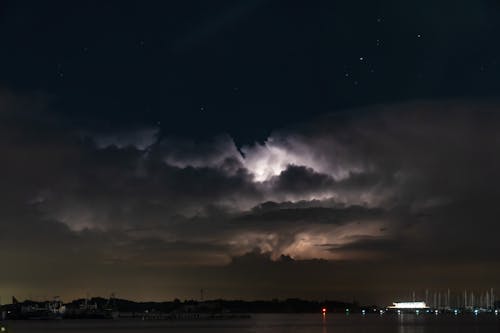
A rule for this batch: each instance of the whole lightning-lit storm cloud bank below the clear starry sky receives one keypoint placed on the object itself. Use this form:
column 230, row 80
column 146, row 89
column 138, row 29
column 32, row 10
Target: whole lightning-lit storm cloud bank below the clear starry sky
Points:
column 352, row 197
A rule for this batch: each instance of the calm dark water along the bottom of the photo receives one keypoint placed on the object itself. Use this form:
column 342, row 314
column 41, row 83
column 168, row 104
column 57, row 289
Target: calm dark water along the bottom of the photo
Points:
column 276, row 323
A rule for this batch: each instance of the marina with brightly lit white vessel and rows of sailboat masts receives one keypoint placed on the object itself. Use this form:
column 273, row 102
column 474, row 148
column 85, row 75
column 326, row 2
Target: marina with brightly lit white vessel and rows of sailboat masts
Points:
column 438, row 302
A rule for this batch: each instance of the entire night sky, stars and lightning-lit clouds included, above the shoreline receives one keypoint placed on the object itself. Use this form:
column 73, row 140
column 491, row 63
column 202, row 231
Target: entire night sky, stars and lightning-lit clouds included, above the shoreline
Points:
column 256, row 149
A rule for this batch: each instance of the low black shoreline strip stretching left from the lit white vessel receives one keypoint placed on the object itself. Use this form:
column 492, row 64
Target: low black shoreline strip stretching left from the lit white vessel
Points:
column 107, row 308
